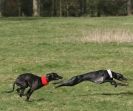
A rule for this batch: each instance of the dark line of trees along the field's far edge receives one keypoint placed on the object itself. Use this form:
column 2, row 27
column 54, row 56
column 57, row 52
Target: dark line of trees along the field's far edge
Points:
column 66, row 8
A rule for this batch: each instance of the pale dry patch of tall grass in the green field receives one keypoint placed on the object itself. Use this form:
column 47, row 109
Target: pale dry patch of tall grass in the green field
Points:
column 106, row 35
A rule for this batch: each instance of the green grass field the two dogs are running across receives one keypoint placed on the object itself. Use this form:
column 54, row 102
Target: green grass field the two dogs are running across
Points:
column 68, row 46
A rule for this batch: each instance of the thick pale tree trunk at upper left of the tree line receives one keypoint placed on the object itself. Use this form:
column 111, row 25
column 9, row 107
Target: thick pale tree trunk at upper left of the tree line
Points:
column 36, row 7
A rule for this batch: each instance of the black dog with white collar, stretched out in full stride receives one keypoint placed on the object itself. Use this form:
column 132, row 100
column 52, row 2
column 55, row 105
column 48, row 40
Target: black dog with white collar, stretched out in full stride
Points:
column 100, row 76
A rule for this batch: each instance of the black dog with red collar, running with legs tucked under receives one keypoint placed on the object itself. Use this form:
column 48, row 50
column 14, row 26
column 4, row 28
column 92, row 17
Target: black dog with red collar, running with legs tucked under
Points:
column 32, row 81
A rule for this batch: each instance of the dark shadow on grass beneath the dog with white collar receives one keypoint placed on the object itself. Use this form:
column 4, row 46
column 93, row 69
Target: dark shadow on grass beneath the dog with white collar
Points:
column 110, row 94
